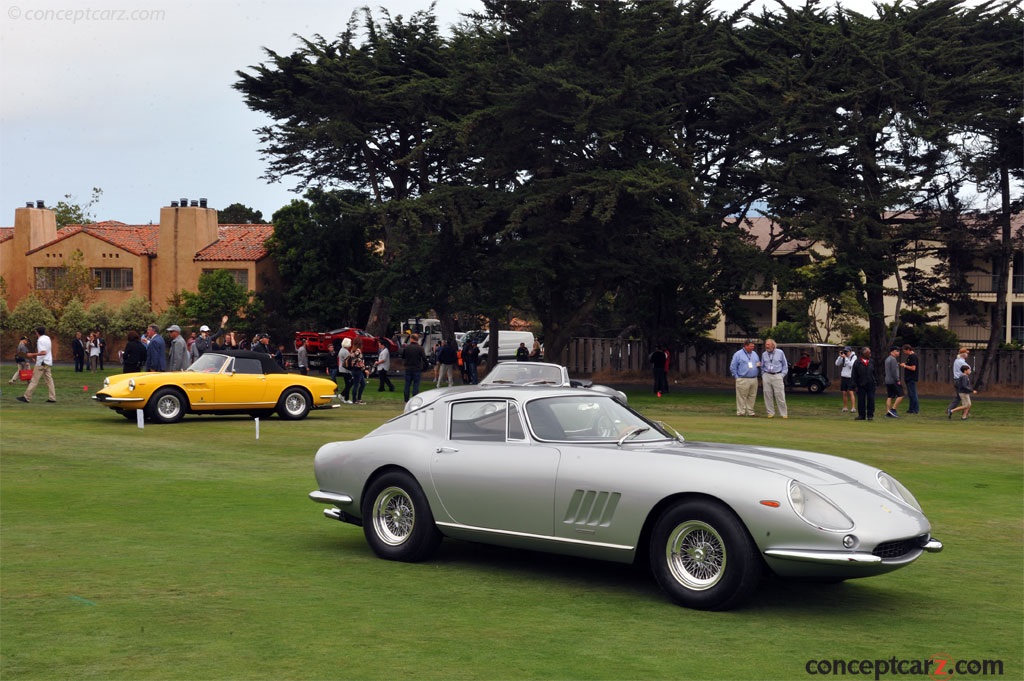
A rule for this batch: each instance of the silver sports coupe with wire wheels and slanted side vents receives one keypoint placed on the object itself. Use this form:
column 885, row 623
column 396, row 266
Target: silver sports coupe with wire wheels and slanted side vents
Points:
column 578, row 473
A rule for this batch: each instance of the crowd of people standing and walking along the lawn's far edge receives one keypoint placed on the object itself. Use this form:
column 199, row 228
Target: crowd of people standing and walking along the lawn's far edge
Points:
column 151, row 353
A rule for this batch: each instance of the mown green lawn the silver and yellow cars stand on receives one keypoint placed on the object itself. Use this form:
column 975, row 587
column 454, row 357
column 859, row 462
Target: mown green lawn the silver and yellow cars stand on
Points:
column 192, row 552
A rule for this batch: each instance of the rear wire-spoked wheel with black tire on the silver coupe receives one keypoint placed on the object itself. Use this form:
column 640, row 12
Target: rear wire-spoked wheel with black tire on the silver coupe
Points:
column 397, row 520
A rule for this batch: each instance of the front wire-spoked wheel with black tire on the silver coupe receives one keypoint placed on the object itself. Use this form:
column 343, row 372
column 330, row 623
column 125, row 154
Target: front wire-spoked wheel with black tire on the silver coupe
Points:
column 703, row 557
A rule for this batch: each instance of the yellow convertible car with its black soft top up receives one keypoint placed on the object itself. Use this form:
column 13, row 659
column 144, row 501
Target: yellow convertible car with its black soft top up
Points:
column 220, row 382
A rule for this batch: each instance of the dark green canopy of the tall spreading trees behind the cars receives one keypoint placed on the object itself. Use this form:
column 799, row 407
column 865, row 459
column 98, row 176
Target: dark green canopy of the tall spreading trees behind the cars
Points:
column 598, row 160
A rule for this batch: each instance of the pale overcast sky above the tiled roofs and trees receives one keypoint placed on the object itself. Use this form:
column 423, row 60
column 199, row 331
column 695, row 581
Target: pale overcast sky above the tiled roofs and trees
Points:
column 135, row 98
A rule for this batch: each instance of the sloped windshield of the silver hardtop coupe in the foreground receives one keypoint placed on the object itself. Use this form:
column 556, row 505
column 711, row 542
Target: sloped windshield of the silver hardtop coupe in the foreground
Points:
column 589, row 418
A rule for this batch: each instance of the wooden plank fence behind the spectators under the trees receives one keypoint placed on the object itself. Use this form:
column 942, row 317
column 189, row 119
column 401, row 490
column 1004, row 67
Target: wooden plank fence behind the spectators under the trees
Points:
column 592, row 356
